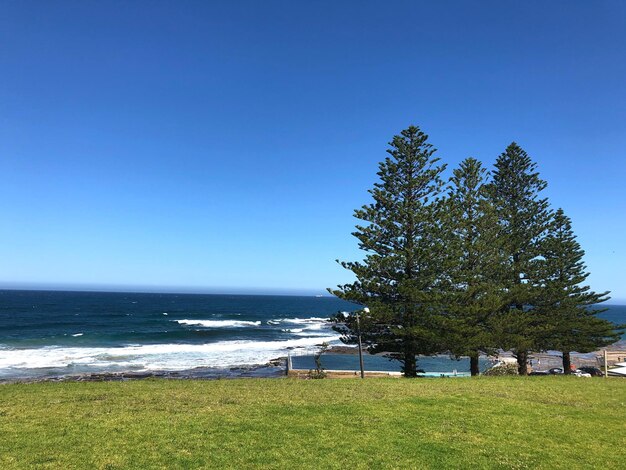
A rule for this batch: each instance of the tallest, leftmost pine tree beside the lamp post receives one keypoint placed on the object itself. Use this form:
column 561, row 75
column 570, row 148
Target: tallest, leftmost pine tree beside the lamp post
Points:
column 400, row 275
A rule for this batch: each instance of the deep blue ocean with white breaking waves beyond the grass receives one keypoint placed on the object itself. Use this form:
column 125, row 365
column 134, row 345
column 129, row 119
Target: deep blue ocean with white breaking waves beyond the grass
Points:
column 53, row 333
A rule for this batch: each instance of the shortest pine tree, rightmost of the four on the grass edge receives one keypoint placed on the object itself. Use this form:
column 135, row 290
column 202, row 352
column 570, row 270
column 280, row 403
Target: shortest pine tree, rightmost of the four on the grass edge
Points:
column 567, row 304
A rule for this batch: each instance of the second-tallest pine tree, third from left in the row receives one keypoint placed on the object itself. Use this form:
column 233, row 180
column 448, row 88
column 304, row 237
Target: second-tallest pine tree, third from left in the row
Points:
column 523, row 220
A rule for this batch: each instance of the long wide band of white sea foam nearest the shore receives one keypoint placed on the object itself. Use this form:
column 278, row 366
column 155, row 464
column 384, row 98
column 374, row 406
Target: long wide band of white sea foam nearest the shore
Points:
column 155, row 356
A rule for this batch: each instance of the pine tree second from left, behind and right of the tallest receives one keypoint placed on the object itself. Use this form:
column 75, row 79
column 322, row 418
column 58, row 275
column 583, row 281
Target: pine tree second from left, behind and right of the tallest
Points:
column 474, row 292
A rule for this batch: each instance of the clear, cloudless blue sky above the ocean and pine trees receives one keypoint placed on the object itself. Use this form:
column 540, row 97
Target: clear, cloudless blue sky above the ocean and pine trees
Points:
column 224, row 145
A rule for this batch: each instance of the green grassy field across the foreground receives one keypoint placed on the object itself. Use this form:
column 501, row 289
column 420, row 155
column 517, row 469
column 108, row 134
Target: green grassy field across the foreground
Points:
column 499, row 422
